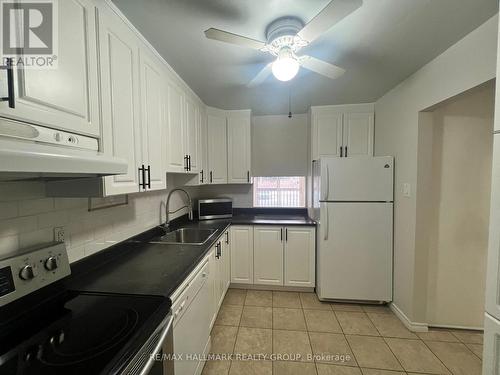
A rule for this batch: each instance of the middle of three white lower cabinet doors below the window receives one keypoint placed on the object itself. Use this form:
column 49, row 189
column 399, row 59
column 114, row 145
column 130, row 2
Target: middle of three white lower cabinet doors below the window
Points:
column 268, row 255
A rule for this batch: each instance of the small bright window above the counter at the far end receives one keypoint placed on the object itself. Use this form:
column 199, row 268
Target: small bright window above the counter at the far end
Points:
column 279, row 192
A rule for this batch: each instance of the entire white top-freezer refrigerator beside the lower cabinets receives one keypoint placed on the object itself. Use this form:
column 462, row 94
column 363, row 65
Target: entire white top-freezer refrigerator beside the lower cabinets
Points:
column 353, row 204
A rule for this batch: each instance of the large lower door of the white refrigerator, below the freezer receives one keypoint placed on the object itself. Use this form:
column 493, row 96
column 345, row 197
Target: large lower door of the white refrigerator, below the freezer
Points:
column 355, row 251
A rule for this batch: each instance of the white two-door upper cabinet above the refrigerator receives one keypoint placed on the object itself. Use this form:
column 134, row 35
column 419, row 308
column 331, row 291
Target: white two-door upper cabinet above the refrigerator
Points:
column 342, row 131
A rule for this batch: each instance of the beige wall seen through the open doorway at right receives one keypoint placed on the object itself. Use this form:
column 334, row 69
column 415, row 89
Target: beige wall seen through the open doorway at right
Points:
column 461, row 146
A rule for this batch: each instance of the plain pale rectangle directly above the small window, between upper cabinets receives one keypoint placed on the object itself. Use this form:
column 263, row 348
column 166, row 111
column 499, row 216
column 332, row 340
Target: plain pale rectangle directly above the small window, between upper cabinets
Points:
column 279, row 145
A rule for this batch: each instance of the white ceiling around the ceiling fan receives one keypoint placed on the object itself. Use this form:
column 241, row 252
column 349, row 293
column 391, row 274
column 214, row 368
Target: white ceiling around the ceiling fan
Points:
column 379, row 45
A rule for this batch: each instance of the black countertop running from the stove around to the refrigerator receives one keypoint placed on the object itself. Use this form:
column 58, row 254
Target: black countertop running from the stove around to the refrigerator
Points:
column 138, row 267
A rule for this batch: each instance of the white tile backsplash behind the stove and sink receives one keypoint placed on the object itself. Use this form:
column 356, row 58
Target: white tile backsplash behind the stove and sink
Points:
column 28, row 217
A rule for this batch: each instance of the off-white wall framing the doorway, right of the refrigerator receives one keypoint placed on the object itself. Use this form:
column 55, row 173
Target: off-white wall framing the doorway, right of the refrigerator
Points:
column 470, row 62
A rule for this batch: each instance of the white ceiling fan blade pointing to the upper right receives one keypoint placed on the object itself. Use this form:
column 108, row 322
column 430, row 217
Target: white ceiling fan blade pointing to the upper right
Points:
column 334, row 12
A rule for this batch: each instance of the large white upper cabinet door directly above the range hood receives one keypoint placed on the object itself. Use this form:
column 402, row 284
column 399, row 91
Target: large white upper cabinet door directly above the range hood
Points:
column 65, row 97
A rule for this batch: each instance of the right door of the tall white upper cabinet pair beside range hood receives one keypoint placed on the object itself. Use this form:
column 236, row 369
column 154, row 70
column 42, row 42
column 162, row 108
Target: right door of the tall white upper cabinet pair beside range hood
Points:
column 153, row 120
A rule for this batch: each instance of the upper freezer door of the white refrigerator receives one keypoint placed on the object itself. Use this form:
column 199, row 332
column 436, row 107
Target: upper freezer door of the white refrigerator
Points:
column 357, row 179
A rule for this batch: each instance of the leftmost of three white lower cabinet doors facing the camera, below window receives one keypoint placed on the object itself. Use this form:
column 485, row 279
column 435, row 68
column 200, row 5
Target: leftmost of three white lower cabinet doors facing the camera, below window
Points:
column 241, row 254
